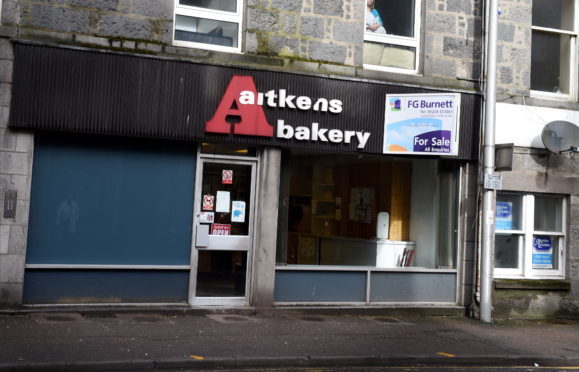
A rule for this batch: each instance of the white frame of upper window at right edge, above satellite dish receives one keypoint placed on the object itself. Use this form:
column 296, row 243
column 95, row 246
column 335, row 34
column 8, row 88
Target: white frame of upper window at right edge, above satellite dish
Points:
column 572, row 81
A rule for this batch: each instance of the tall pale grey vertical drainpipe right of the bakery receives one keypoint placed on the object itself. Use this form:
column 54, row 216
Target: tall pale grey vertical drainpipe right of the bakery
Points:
column 488, row 204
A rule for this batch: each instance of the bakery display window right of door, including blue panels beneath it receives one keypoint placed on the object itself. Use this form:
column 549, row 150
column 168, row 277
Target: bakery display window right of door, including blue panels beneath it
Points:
column 369, row 230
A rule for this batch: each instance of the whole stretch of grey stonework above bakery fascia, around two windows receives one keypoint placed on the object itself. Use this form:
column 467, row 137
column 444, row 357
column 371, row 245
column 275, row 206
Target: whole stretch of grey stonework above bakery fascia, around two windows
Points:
column 316, row 36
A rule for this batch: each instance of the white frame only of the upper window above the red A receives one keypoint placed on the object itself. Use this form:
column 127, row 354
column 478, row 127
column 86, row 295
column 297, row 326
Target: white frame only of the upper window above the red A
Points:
column 216, row 15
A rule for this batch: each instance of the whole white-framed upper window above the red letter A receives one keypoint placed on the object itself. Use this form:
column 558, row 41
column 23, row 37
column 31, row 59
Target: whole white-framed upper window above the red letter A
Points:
column 208, row 24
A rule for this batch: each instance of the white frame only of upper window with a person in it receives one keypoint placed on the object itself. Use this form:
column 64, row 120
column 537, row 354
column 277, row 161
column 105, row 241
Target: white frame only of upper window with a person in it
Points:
column 413, row 42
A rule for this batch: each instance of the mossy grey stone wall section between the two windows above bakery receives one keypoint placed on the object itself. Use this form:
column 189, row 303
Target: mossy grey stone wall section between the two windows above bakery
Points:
column 319, row 30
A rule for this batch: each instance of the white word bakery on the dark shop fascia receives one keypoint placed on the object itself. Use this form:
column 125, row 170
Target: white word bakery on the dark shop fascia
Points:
column 315, row 133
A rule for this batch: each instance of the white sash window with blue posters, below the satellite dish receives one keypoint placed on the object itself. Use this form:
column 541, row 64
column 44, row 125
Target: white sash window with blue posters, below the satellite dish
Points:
column 530, row 236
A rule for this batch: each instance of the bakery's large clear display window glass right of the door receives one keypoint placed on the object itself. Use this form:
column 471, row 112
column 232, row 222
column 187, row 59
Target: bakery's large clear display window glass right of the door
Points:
column 352, row 210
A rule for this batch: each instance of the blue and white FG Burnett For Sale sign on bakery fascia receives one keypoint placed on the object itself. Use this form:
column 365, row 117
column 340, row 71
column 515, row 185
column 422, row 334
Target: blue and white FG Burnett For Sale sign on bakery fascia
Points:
column 422, row 124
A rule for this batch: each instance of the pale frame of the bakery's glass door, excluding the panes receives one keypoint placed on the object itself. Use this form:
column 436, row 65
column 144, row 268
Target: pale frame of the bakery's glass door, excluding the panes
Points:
column 203, row 158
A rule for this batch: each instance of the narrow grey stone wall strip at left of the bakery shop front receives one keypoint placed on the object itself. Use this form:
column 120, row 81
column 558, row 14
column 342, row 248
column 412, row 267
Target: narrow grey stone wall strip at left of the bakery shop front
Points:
column 15, row 169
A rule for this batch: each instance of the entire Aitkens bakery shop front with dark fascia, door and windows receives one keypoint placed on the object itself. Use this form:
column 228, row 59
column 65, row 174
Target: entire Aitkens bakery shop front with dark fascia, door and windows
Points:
column 161, row 181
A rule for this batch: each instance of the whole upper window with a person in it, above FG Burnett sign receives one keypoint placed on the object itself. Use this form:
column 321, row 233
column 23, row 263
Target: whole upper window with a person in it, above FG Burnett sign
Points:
column 391, row 37
